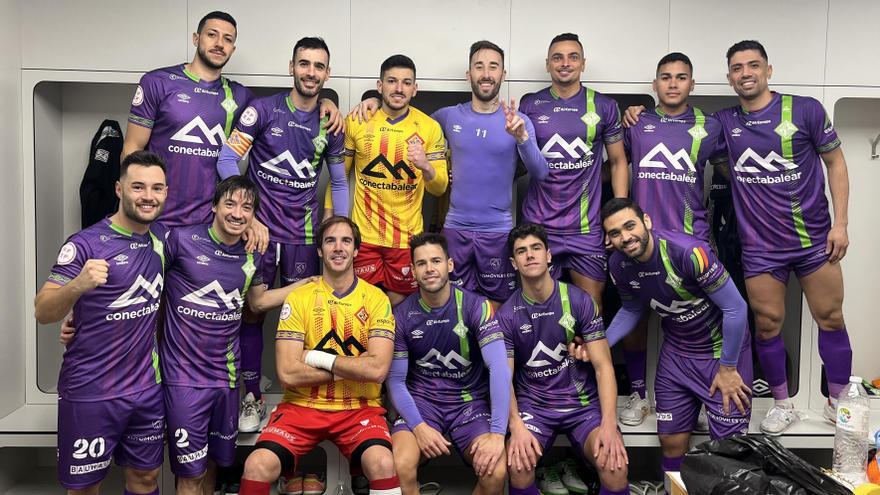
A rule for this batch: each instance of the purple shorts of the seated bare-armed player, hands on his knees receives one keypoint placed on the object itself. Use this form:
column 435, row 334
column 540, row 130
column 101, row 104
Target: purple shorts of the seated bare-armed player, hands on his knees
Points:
column 545, row 424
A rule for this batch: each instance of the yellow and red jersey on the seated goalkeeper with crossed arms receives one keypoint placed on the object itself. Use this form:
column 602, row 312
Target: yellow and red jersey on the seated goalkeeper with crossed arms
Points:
column 338, row 324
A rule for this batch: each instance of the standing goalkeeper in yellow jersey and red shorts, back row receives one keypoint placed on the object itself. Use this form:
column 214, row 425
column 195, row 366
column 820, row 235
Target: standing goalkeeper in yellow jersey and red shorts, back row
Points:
column 397, row 154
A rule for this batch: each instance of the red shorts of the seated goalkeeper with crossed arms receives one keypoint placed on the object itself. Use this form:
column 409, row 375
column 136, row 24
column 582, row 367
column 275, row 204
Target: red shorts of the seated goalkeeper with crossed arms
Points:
column 300, row 429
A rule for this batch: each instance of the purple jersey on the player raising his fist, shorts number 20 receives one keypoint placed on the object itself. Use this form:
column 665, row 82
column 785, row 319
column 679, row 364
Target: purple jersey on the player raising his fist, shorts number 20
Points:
column 114, row 352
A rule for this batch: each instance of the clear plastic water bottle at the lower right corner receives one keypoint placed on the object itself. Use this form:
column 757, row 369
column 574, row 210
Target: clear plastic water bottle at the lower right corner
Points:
column 851, row 433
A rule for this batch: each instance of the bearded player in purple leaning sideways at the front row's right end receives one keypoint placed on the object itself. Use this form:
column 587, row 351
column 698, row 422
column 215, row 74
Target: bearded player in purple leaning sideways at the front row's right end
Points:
column 705, row 349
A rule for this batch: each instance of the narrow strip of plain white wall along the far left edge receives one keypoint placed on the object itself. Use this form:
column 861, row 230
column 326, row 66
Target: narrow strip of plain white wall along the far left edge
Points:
column 12, row 299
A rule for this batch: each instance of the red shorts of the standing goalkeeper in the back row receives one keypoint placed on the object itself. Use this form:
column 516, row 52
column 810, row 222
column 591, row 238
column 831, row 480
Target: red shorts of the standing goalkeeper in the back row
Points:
column 390, row 267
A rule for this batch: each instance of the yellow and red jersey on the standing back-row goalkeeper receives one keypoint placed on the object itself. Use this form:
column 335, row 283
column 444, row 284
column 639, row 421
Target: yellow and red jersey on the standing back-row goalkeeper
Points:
column 388, row 188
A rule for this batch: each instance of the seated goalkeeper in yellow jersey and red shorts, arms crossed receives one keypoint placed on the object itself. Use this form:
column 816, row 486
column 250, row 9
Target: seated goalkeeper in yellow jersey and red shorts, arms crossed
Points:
column 333, row 350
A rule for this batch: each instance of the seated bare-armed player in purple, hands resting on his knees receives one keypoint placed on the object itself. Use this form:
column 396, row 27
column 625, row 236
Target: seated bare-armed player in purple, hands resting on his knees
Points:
column 554, row 392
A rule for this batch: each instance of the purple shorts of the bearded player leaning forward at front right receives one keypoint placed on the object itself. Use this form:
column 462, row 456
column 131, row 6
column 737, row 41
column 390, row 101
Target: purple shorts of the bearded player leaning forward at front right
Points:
column 682, row 385
